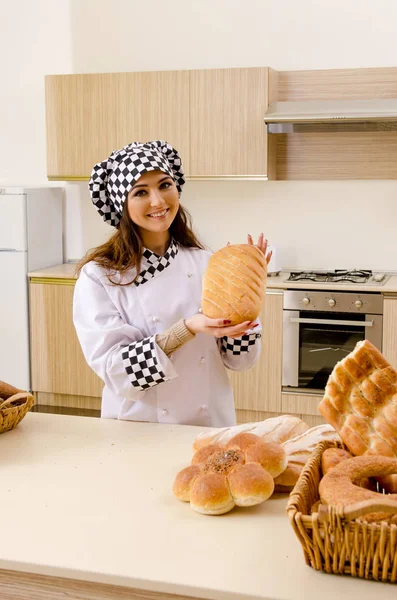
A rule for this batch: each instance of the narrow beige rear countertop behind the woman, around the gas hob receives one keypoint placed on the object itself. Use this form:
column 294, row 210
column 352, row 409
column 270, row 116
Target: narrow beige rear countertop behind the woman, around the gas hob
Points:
column 68, row 271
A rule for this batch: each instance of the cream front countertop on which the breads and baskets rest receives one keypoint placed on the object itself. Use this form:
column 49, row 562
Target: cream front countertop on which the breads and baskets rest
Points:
column 91, row 499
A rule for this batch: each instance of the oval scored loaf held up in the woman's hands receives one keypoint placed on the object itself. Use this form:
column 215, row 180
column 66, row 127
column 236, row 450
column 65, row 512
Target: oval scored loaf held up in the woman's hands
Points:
column 234, row 284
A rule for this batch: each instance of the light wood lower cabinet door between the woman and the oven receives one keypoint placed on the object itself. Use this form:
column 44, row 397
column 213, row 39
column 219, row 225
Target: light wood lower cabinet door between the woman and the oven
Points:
column 259, row 388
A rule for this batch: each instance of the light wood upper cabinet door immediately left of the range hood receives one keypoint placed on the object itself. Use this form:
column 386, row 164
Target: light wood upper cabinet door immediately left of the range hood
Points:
column 228, row 134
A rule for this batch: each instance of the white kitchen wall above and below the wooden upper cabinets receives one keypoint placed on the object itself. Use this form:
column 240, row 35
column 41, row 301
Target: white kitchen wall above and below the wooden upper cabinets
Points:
column 315, row 224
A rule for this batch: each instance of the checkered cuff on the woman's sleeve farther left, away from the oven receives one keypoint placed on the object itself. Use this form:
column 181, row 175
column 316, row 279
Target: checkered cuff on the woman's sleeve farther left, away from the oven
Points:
column 140, row 362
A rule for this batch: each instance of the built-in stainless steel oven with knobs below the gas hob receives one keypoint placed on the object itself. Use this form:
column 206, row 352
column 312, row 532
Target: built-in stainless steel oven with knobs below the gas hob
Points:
column 322, row 327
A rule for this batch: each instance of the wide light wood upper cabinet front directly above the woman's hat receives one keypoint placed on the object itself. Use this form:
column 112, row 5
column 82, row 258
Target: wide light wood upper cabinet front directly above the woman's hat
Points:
column 89, row 116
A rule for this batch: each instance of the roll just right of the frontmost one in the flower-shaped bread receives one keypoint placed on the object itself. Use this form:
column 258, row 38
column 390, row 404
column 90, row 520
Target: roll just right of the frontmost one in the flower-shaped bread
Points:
column 250, row 484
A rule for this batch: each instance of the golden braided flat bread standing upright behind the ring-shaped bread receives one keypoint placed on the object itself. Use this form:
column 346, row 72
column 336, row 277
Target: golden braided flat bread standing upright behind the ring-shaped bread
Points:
column 360, row 402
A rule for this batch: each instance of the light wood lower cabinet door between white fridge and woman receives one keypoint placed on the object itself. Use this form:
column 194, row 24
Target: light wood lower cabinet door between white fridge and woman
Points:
column 58, row 364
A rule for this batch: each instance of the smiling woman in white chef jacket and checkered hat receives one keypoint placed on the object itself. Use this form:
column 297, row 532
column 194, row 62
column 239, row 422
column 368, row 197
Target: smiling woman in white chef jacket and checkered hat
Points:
column 137, row 300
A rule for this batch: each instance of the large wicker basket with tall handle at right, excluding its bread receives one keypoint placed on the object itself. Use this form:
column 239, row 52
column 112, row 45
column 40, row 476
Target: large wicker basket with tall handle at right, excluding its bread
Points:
column 332, row 539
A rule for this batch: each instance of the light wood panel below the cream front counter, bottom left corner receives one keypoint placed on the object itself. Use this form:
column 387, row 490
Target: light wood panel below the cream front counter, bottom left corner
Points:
column 18, row 585
